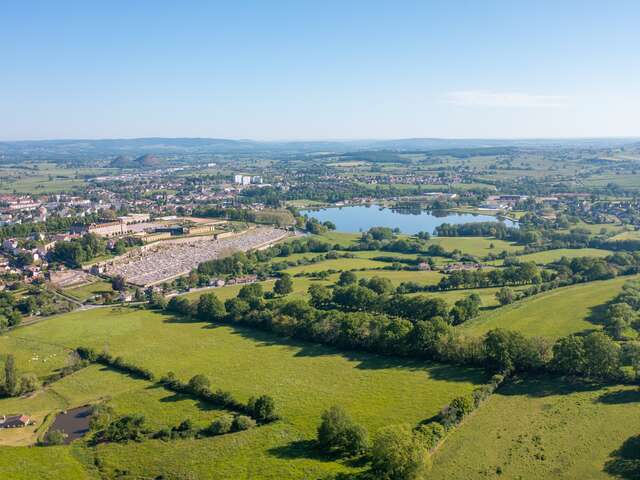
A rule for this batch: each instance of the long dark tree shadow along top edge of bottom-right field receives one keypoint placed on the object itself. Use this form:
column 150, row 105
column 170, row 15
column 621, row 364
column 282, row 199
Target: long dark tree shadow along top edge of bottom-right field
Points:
column 547, row 385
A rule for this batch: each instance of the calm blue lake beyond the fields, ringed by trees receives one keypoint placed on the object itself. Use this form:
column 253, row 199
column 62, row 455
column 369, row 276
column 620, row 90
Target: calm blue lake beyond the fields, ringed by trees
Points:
column 362, row 217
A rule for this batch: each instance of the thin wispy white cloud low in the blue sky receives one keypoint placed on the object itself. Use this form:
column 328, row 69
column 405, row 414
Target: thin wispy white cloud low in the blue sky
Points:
column 476, row 98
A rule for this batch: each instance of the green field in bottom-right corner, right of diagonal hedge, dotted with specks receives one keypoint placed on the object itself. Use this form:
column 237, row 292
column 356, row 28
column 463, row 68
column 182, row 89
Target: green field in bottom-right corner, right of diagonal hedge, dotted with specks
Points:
column 538, row 429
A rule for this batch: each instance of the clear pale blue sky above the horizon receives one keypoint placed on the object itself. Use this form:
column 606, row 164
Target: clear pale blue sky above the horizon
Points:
column 277, row 70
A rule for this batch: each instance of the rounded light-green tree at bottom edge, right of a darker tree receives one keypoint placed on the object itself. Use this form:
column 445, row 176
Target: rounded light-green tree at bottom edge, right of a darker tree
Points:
column 398, row 454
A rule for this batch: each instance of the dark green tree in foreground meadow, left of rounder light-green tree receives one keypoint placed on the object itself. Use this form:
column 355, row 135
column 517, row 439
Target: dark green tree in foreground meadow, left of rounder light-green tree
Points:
column 337, row 432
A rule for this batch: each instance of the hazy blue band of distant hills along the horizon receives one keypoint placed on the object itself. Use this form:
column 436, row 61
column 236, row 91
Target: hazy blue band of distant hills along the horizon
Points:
column 127, row 152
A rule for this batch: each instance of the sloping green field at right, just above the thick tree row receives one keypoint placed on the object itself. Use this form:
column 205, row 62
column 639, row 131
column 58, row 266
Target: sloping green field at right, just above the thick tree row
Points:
column 552, row 314
